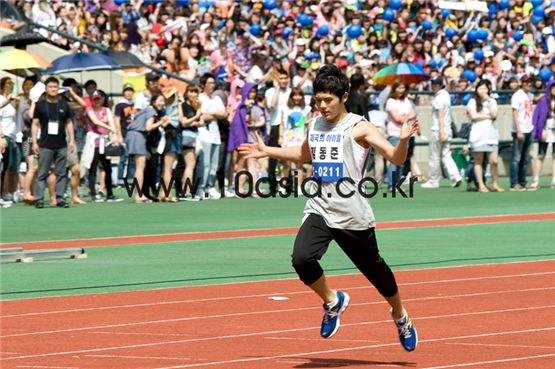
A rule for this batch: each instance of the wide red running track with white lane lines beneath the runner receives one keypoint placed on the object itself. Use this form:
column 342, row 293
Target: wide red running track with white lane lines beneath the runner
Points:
column 492, row 316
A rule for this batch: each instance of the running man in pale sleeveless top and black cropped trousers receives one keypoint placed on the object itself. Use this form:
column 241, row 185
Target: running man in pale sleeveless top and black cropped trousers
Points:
column 338, row 144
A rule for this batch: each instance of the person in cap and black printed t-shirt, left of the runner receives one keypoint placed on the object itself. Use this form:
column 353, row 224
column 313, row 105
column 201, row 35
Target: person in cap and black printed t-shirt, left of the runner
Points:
column 124, row 113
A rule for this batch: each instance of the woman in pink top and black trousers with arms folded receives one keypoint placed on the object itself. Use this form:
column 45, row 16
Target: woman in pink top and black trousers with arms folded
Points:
column 100, row 122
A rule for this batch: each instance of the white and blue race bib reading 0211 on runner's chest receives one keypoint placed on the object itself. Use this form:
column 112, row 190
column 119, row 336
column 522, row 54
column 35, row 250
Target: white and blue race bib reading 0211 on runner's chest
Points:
column 327, row 155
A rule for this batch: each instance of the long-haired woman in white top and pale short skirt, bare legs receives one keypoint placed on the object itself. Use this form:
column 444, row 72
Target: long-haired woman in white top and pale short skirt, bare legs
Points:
column 484, row 136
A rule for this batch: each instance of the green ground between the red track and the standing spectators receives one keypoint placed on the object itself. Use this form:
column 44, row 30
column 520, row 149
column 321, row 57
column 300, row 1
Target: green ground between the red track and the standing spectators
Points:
column 140, row 267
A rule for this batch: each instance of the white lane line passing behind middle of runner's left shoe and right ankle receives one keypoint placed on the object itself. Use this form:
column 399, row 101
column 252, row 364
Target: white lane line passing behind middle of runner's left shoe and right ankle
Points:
column 264, row 312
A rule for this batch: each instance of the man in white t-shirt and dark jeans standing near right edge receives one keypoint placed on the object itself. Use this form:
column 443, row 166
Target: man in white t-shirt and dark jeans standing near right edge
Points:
column 522, row 108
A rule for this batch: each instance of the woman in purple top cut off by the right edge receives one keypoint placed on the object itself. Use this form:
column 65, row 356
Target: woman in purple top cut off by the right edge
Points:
column 543, row 121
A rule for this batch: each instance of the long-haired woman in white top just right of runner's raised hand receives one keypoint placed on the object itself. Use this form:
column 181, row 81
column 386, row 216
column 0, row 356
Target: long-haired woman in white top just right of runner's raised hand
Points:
column 399, row 110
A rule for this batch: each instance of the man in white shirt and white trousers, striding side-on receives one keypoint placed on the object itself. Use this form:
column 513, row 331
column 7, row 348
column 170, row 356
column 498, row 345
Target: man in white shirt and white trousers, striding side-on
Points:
column 440, row 149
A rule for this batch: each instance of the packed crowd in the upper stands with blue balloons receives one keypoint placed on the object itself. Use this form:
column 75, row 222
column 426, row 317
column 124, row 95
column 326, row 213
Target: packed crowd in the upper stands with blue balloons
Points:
column 250, row 39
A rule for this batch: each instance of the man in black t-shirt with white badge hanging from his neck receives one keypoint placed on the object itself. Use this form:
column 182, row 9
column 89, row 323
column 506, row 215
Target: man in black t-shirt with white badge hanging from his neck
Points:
column 52, row 117
